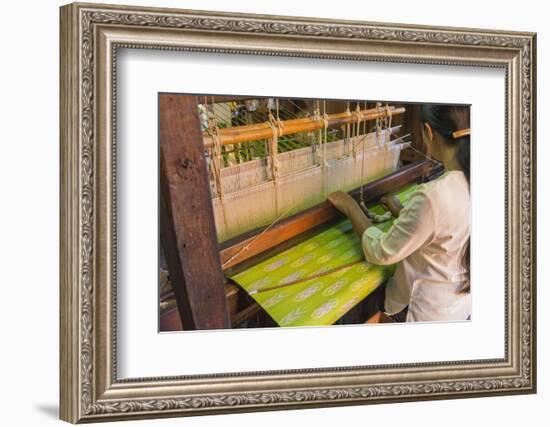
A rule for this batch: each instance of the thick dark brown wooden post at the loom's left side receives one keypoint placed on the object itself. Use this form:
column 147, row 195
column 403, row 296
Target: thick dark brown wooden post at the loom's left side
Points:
column 187, row 223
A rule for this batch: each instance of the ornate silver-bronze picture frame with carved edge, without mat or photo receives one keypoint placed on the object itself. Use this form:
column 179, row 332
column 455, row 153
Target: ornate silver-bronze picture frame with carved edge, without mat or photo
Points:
column 90, row 36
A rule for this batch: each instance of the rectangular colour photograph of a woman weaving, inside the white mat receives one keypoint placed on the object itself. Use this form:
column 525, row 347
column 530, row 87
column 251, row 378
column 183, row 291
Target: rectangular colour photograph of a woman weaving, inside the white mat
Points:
column 325, row 211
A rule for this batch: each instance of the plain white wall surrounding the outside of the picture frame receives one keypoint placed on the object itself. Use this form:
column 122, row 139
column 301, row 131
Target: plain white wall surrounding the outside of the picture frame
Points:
column 29, row 212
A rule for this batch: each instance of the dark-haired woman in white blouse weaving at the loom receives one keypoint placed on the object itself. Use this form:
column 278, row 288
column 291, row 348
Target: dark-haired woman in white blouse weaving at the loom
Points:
column 430, row 238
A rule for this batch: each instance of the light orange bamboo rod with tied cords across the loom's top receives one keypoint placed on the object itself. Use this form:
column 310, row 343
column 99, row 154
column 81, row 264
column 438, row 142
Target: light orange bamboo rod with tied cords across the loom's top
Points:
column 257, row 131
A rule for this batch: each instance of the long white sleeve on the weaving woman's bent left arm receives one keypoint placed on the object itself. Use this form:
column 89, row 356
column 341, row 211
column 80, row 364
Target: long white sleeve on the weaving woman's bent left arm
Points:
column 411, row 230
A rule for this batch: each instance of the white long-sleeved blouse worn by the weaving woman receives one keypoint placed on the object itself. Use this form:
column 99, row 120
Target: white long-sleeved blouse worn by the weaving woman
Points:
column 428, row 239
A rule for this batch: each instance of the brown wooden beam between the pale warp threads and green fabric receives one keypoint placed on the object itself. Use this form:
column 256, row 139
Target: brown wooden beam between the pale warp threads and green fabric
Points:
column 313, row 217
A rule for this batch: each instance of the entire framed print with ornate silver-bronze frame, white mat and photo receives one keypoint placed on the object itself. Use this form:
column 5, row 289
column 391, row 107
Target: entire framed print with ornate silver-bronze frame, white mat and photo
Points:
column 266, row 212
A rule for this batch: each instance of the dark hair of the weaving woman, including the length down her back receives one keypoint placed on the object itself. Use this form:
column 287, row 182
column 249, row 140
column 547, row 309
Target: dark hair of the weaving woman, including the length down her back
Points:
column 446, row 119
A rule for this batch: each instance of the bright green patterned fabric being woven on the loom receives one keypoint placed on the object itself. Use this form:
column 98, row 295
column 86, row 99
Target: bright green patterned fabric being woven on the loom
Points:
column 325, row 298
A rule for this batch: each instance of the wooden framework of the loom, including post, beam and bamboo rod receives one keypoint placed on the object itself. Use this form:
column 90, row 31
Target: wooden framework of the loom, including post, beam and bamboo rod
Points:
column 197, row 263
